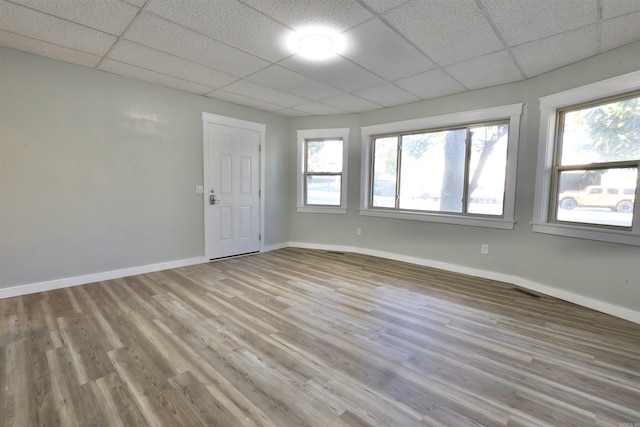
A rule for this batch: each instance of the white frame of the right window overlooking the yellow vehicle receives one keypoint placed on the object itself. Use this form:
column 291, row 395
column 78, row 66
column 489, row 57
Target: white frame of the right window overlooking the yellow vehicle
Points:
column 549, row 106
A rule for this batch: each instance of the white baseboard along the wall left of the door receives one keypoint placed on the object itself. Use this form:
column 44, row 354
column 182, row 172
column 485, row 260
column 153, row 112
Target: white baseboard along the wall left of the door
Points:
column 67, row 282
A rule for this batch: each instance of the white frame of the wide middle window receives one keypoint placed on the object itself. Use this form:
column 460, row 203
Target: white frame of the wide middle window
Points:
column 511, row 113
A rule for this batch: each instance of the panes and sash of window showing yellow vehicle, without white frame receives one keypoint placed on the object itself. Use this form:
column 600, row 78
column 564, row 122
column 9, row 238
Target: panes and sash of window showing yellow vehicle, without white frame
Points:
column 596, row 163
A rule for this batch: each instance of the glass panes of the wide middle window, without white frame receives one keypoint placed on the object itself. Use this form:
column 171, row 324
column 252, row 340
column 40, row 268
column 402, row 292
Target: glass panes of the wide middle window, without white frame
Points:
column 458, row 170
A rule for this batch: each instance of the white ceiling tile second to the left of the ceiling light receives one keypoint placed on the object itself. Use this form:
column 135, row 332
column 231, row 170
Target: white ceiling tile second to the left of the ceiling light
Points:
column 156, row 32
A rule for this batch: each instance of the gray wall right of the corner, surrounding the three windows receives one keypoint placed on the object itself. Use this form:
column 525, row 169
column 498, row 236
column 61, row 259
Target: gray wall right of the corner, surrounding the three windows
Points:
column 601, row 271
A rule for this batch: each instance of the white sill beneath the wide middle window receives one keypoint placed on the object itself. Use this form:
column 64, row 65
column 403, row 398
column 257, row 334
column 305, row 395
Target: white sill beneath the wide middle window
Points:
column 472, row 221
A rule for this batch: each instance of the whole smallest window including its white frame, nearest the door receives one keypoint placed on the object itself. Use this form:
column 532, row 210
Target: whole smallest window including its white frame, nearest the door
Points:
column 322, row 156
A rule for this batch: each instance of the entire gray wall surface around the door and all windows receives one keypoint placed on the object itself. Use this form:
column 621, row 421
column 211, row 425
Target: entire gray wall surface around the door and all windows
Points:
column 97, row 173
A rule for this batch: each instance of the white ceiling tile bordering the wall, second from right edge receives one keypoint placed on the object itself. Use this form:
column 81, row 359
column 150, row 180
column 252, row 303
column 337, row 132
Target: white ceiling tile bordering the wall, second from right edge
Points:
column 572, row 46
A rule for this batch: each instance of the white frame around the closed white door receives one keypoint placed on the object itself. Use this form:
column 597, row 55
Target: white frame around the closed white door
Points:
column 209, row 118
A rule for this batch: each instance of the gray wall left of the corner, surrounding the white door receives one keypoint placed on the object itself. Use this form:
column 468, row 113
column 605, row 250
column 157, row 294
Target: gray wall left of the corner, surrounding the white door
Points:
column 98, row 172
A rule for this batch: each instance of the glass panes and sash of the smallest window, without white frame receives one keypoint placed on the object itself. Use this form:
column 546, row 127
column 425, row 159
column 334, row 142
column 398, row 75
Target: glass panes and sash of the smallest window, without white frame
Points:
column 323, row 172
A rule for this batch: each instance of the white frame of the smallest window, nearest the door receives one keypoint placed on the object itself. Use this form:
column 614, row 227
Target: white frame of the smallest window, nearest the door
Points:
column 302, row 136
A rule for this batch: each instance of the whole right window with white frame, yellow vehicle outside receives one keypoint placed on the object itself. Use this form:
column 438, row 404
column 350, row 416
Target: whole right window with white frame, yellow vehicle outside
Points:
column 591, row 142
